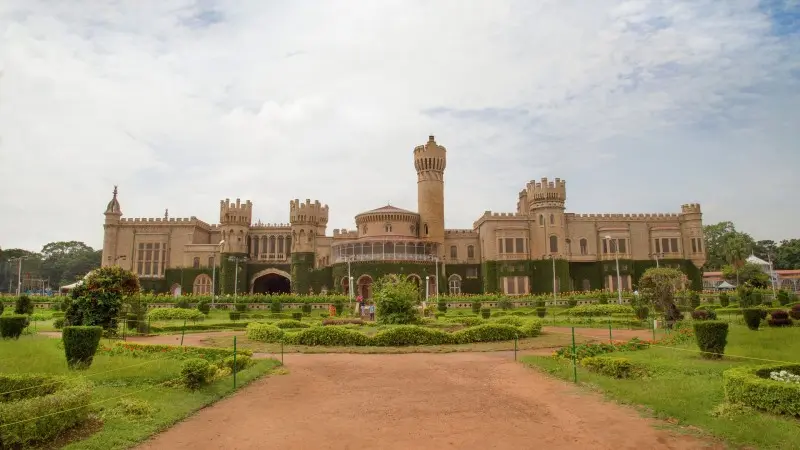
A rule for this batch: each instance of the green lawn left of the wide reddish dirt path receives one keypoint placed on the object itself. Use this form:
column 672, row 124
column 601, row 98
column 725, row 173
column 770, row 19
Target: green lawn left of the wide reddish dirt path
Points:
column 121, row 422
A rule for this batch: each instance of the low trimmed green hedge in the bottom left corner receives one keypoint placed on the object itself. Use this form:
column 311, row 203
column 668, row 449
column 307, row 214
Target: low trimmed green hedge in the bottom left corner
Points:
column 71, row 395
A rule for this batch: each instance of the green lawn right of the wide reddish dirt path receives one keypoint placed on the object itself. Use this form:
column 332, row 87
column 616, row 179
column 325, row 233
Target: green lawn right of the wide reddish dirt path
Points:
column 683, row 387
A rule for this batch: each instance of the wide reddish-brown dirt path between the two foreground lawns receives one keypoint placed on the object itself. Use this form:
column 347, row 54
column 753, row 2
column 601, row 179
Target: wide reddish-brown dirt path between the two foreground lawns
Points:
column 414, row 401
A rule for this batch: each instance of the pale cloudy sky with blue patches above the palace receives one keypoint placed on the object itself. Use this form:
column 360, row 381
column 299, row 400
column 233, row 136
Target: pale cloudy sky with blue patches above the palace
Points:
column 641, row 106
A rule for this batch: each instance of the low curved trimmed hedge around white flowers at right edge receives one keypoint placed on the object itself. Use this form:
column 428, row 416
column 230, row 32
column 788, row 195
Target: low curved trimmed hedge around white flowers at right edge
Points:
column 751, row 386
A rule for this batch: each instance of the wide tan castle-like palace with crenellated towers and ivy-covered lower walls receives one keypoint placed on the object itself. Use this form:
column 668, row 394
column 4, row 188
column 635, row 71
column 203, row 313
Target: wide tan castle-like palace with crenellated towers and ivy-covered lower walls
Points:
column 538, row 248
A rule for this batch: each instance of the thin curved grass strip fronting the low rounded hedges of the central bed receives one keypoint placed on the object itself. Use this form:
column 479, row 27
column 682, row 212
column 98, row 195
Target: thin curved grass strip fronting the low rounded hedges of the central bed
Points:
column 545, row 341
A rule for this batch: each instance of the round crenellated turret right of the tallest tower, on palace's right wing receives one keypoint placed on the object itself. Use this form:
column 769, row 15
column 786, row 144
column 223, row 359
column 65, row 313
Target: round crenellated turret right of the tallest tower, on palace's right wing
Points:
column 546, row 207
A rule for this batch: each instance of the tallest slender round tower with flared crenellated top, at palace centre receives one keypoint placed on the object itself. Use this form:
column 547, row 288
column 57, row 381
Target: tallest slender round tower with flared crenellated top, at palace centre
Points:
column 430, row 161
